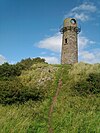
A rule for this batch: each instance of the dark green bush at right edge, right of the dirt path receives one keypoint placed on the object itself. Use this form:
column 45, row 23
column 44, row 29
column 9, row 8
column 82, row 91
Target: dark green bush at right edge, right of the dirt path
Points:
column 89, row 85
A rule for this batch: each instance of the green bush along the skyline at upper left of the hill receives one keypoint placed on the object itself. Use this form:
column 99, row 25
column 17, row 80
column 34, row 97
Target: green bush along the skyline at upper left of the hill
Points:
column 9, row 71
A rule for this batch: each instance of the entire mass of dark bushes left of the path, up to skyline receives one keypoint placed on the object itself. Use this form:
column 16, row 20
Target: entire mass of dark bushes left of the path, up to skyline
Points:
column 12, row 90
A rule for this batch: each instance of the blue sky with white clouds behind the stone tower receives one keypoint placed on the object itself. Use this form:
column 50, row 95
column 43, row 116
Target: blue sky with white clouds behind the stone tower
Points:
column 30, row 28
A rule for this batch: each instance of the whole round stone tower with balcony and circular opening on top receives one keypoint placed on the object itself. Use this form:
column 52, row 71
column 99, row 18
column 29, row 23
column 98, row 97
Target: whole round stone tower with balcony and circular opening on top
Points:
column 70, row 30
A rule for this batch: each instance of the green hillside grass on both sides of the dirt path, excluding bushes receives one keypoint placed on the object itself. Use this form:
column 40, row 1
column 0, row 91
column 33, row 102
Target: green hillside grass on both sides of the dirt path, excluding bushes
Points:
column 73, row 112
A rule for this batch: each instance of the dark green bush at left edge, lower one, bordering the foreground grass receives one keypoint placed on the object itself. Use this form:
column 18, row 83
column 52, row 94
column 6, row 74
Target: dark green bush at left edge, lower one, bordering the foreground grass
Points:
column 13, row 91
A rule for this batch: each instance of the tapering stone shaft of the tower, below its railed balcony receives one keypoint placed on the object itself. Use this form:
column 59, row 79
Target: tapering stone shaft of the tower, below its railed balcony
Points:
column 69, row 49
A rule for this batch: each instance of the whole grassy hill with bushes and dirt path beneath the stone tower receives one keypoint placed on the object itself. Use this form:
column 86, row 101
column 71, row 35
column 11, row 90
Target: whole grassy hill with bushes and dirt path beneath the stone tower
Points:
column 75, row 110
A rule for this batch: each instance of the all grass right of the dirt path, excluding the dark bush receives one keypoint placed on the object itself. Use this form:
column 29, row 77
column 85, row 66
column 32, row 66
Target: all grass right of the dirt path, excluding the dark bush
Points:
column 76, row 113
